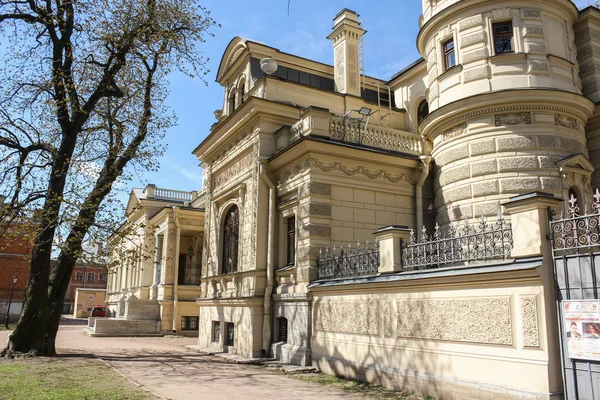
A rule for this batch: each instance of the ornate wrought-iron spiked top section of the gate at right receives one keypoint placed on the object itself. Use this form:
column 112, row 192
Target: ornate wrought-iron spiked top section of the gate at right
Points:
column 576, row 232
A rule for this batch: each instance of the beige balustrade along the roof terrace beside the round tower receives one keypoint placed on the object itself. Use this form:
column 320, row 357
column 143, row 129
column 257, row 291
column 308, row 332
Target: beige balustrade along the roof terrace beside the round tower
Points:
column 375, row 136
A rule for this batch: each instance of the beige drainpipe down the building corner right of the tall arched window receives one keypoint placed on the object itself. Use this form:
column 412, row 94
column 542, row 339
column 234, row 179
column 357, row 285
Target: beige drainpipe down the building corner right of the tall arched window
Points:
column 270, row 256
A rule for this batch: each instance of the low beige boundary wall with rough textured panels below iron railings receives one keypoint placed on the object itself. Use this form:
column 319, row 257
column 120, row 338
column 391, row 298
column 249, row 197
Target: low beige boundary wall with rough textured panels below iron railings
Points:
column 463, row 337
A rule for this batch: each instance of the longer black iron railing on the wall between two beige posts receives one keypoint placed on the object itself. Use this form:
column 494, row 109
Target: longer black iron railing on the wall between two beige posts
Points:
column 459, row 245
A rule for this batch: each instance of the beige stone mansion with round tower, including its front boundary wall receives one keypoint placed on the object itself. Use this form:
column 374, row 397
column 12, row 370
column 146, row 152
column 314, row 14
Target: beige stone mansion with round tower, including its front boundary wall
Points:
column 305, row 156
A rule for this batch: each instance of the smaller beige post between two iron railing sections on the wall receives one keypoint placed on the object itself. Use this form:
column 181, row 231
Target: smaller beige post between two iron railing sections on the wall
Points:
column 390, row 251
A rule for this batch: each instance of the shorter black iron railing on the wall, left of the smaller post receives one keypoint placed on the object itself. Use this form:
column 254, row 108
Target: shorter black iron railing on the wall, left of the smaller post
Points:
column 348, row 261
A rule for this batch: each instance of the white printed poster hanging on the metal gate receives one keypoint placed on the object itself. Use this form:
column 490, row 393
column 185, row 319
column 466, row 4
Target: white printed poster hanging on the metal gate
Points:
column 582, row 328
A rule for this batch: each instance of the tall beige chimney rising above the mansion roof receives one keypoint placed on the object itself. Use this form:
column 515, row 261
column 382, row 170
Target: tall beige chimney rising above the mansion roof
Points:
column 346, row 41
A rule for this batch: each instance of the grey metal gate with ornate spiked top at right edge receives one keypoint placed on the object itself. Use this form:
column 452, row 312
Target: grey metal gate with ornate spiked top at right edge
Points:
column 576, row 257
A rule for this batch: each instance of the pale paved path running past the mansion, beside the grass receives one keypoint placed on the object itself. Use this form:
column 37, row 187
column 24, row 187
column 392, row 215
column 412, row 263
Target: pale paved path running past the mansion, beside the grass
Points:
column 167, row 368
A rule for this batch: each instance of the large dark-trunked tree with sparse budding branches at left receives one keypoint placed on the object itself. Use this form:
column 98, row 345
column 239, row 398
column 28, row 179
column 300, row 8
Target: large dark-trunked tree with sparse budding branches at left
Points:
column 82, row 106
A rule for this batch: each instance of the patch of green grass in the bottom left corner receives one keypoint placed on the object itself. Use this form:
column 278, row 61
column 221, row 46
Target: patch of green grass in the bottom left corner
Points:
column 65, row 378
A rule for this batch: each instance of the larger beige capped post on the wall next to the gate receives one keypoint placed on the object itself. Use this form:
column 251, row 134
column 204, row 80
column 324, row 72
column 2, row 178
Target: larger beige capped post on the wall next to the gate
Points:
column 529, row 221
